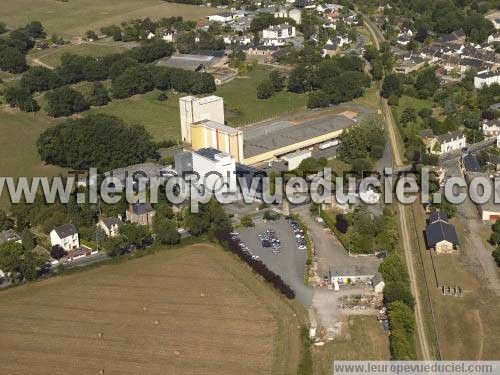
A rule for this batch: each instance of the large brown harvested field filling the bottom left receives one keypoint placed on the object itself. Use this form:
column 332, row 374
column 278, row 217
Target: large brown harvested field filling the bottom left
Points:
column 194, row 310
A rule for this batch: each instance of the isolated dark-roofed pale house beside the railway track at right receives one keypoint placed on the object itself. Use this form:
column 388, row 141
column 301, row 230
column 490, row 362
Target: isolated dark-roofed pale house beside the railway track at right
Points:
column 440, row 235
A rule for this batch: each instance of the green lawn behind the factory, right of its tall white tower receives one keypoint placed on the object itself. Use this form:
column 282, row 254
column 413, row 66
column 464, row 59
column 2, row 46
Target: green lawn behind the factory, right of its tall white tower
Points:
column 240, row 97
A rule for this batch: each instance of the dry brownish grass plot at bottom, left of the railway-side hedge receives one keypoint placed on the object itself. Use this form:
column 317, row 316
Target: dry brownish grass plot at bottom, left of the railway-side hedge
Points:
column 365, row 340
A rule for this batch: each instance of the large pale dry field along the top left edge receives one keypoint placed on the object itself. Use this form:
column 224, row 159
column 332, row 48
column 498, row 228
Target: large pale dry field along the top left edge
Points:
column 75, row 17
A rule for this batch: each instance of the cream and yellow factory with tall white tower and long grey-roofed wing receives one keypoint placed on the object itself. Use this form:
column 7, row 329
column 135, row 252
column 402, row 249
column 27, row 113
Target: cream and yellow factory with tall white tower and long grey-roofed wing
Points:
column 202, row 126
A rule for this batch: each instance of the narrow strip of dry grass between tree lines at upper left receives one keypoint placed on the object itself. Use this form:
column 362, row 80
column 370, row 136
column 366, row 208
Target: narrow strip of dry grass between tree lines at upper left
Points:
column 52, row 56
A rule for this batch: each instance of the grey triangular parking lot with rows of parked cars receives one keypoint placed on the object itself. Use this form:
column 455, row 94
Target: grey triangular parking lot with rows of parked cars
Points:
column 287, row 260
